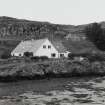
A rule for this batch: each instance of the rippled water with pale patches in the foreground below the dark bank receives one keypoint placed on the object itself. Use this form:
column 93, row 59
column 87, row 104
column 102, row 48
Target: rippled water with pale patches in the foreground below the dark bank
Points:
column 68, row 91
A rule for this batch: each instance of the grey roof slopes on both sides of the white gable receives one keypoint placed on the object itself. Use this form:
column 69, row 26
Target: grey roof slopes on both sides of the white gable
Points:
column 33, row 45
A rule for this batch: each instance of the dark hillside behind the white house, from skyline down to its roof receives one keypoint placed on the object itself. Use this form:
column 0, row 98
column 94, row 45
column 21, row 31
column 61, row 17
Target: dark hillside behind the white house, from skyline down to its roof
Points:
column 13, row 30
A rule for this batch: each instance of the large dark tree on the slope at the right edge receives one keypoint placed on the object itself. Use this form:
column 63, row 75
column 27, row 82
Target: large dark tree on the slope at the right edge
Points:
column 95, row 34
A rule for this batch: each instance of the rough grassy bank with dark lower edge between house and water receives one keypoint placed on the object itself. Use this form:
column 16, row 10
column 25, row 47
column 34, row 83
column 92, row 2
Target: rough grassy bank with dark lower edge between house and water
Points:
column 27, row 68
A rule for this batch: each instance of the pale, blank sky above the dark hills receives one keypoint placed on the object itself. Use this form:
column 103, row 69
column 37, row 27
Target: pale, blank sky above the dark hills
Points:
column 71, row 12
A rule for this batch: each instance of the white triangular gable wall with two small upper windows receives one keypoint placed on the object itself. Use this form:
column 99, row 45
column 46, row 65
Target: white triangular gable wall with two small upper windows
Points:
column 47, row 51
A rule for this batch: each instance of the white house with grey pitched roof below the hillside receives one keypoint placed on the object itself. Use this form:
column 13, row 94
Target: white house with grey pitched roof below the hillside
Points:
column 41, row 47
